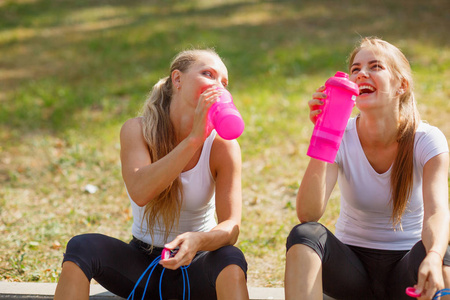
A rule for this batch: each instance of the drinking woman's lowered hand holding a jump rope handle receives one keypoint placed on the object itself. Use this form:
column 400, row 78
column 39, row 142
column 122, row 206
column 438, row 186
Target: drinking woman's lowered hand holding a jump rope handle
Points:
column 188, row 244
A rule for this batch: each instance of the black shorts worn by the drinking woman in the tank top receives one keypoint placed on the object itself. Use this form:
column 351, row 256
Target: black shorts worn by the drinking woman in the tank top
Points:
column 117, row 266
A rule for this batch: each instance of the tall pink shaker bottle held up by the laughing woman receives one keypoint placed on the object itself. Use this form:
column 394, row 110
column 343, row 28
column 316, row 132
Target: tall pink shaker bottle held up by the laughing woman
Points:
column 330, row 125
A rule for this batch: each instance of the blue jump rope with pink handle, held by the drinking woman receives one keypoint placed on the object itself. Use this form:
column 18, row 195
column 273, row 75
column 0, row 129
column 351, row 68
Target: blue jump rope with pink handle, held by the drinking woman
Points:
column 166, row 253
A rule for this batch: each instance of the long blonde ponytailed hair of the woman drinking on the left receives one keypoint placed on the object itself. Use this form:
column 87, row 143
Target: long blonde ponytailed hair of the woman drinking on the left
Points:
column 159, row 133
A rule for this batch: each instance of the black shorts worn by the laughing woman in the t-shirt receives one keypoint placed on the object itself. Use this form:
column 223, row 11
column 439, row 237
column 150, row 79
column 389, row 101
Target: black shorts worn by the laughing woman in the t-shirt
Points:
column 350, row 272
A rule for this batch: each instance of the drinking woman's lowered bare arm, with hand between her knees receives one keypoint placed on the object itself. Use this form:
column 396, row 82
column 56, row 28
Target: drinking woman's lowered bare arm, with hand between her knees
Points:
column 226, row 168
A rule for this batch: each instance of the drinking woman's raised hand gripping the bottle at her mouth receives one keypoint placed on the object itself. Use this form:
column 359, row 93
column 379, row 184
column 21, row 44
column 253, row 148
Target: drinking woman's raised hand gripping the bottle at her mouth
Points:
column 205, row 101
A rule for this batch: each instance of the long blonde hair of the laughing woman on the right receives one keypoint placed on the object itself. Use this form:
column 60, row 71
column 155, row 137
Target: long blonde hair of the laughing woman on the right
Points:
column 402, row 170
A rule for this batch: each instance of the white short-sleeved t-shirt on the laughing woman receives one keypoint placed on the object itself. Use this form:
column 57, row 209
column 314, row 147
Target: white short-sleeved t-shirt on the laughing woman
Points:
column 366, row 209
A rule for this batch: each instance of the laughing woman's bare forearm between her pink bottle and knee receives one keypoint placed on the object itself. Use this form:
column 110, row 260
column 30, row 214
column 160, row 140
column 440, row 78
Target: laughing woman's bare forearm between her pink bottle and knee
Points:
column 315, row 190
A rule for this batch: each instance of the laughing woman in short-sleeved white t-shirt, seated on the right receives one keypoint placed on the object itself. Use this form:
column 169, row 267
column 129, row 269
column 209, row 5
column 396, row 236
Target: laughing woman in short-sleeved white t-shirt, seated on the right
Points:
column 392, row 170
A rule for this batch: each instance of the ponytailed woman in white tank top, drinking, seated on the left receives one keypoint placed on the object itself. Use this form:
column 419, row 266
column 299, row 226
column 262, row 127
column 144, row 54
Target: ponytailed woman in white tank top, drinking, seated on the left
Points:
column 179, row 176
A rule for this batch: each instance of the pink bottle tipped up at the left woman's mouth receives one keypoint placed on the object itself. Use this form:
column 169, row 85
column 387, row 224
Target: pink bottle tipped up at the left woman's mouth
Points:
column 225, row 118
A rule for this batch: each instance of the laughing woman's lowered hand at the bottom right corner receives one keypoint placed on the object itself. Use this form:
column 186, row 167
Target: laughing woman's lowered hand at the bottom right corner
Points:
column 430, row 278
